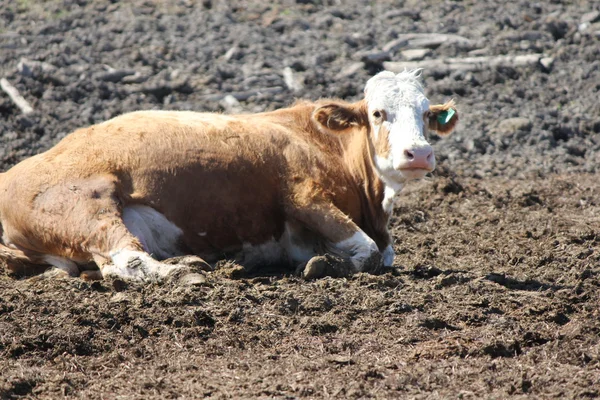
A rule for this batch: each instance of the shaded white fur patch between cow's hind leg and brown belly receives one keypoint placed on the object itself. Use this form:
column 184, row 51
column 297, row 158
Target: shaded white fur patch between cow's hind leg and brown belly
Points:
column 158, row 235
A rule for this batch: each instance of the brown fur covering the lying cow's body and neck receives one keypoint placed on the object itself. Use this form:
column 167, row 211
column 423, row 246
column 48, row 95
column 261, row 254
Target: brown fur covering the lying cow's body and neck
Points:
column 237, row 178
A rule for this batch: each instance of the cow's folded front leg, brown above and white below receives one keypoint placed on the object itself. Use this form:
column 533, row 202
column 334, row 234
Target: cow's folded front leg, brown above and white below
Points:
column 349, row 248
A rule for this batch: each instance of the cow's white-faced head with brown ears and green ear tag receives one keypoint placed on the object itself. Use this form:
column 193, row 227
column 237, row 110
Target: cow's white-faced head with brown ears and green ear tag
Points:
column 398, row 115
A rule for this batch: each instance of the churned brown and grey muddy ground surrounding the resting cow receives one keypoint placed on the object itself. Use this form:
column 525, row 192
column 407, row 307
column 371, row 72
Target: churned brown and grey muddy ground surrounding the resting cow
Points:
column 496, row 287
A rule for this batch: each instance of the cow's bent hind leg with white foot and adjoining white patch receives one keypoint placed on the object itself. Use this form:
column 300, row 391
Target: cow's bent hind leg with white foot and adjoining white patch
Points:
column 96, row 227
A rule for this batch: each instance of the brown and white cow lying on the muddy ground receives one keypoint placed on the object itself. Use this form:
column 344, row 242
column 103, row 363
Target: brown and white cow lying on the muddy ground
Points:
column 284, row 186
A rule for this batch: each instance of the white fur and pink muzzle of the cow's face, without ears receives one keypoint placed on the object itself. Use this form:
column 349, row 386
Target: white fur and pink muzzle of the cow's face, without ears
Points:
column 402, row 99
